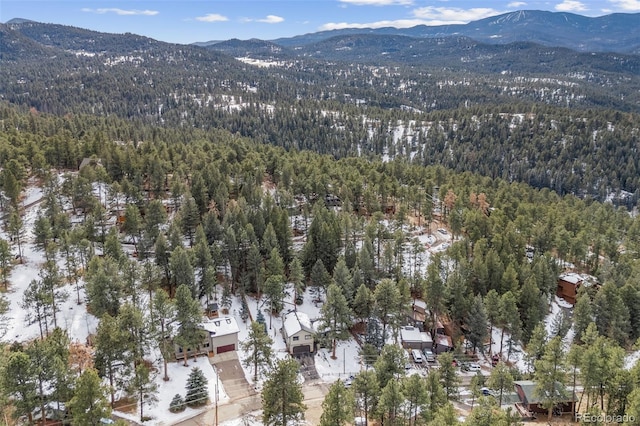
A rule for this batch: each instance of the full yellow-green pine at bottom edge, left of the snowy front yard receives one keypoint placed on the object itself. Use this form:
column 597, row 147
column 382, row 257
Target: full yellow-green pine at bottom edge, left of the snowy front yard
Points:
column 90, row 402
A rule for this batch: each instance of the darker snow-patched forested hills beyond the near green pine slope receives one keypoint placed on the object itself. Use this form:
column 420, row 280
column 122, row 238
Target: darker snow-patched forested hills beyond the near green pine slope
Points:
column 561, row 120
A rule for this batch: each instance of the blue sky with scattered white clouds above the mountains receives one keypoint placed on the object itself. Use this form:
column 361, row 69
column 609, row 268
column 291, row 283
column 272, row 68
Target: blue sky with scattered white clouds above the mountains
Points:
column 189, row 21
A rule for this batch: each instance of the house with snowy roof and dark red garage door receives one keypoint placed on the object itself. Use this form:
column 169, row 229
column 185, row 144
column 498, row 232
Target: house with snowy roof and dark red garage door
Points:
column 219, row 335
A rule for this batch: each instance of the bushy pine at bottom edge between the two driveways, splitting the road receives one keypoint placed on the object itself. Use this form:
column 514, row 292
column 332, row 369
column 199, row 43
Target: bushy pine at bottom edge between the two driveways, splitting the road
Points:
column 282, row 397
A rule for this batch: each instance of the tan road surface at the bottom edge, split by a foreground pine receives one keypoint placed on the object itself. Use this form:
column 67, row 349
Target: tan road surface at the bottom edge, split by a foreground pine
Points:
column 314, row 393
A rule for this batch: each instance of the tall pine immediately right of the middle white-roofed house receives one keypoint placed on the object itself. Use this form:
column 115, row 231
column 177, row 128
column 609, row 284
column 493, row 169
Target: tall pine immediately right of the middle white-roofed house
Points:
column 335, row 317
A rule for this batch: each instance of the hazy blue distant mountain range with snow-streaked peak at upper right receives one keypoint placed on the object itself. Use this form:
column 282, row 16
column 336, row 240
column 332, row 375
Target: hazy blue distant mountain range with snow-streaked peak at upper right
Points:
column 617, row 32
